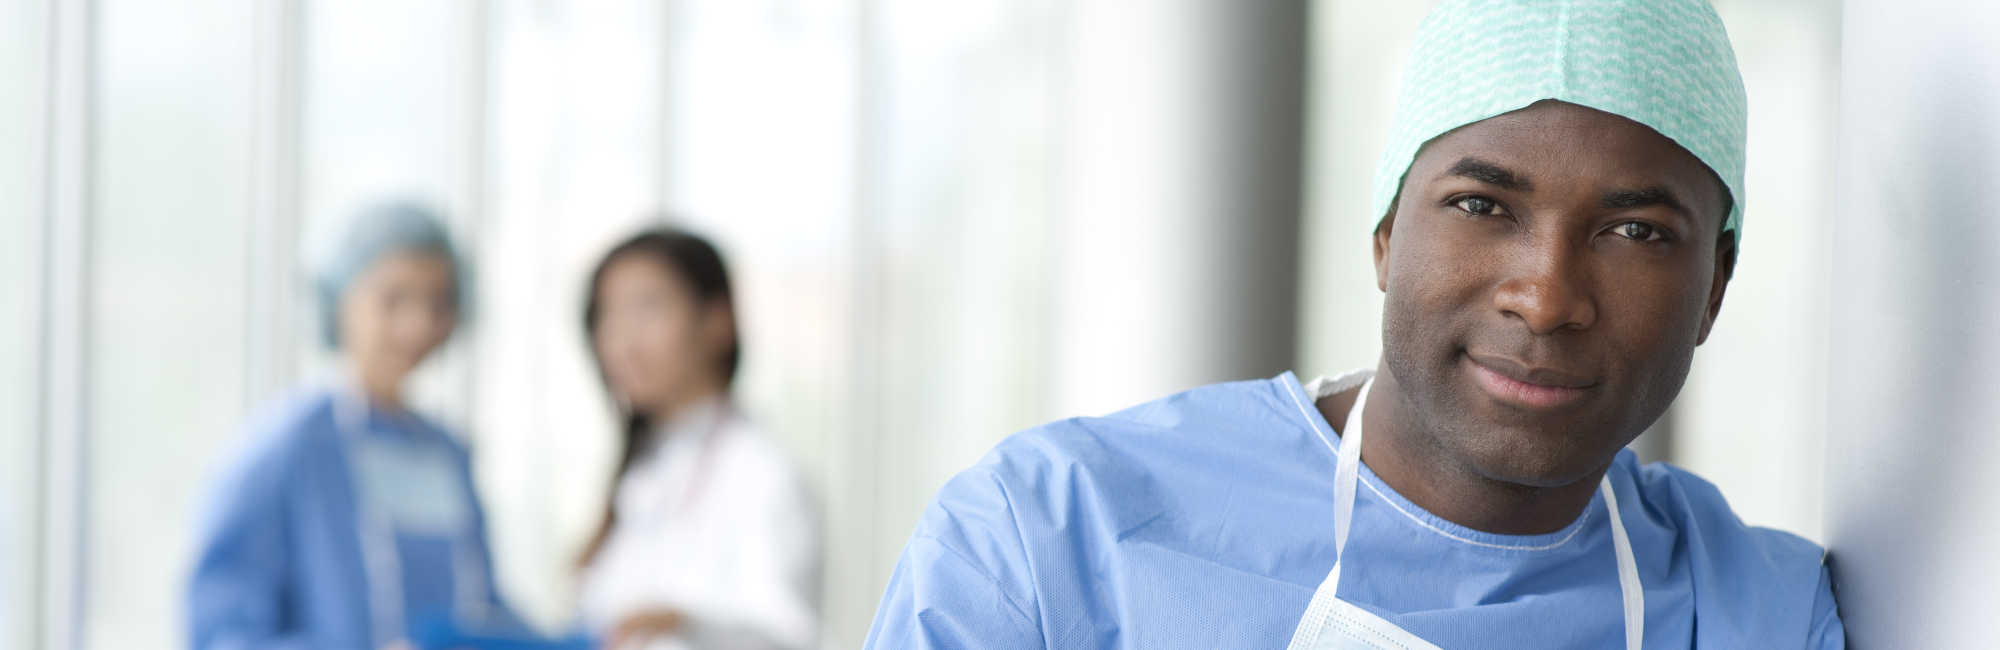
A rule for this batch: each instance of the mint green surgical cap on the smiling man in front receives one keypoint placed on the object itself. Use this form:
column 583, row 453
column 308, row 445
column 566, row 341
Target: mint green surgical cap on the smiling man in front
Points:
column 1657, row 63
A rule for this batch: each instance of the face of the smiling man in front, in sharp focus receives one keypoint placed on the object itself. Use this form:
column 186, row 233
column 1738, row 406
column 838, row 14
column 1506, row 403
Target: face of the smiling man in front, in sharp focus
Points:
column 1547, row 277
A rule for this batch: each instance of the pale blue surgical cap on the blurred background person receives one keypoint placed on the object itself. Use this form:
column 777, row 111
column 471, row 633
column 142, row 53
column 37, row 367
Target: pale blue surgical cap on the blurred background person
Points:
column 373, row 235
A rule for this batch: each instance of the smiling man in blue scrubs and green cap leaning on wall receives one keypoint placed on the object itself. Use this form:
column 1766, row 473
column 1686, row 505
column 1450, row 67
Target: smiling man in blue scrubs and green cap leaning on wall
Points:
column 1557, row 221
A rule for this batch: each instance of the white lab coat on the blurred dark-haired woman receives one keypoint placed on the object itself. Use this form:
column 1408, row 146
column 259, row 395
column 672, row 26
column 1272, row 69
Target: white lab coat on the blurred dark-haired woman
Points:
column 713, row 521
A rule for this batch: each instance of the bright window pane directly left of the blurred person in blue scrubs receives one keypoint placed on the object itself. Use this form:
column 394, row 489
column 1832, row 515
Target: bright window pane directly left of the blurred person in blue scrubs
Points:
column 165, row 301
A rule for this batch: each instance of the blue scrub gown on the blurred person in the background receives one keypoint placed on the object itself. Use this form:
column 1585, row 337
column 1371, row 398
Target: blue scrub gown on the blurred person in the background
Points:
column 279, row 557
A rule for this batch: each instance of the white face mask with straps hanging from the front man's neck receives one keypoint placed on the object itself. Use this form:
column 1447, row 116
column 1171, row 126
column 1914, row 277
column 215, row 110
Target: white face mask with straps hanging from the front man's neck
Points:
column 1339, row 625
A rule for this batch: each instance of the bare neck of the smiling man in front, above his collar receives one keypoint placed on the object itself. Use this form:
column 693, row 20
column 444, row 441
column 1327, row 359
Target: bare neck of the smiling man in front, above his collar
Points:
column 1429, row 477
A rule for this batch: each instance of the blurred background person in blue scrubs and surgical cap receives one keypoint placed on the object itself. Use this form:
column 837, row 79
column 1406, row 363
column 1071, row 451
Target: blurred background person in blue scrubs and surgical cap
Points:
column 349, row 521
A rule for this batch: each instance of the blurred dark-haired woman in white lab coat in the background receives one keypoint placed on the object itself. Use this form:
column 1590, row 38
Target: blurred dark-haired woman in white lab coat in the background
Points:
column 711, row 539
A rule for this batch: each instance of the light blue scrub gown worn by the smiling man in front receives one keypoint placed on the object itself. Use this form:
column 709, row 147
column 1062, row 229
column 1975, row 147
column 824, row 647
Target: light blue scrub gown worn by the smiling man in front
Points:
column 1205, row 521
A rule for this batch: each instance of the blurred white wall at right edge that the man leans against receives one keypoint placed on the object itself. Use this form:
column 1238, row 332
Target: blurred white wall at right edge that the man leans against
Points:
column 1911, row 471
